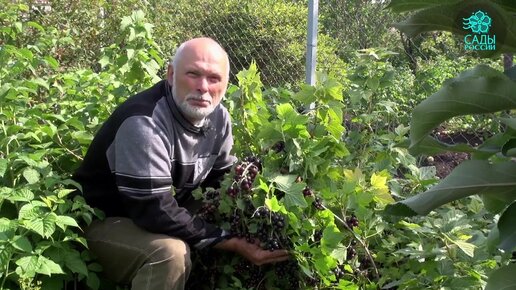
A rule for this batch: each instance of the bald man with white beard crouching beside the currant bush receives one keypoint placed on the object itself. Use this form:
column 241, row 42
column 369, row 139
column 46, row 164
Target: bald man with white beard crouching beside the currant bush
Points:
column 173, row 135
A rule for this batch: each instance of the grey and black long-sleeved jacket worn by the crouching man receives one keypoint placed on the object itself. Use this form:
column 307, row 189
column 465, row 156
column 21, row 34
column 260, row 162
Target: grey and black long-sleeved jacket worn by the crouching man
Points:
column 145, row 150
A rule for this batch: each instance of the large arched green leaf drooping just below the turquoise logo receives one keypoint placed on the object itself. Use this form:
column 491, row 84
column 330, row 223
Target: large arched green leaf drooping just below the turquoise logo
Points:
column 479, row 90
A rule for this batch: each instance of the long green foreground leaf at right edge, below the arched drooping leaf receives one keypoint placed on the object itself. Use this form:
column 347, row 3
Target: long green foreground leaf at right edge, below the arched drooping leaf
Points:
column 470, row 177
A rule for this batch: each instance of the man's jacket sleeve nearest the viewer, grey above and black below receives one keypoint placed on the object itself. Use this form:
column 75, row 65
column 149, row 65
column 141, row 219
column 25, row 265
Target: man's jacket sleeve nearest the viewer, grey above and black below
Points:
column 139, row 159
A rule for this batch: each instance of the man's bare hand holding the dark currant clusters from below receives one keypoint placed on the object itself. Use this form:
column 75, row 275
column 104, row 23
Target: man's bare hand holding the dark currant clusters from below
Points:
column 252, row 252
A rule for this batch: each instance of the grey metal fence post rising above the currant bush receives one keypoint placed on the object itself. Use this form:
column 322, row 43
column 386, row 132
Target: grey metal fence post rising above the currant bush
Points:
column 311, row 41
